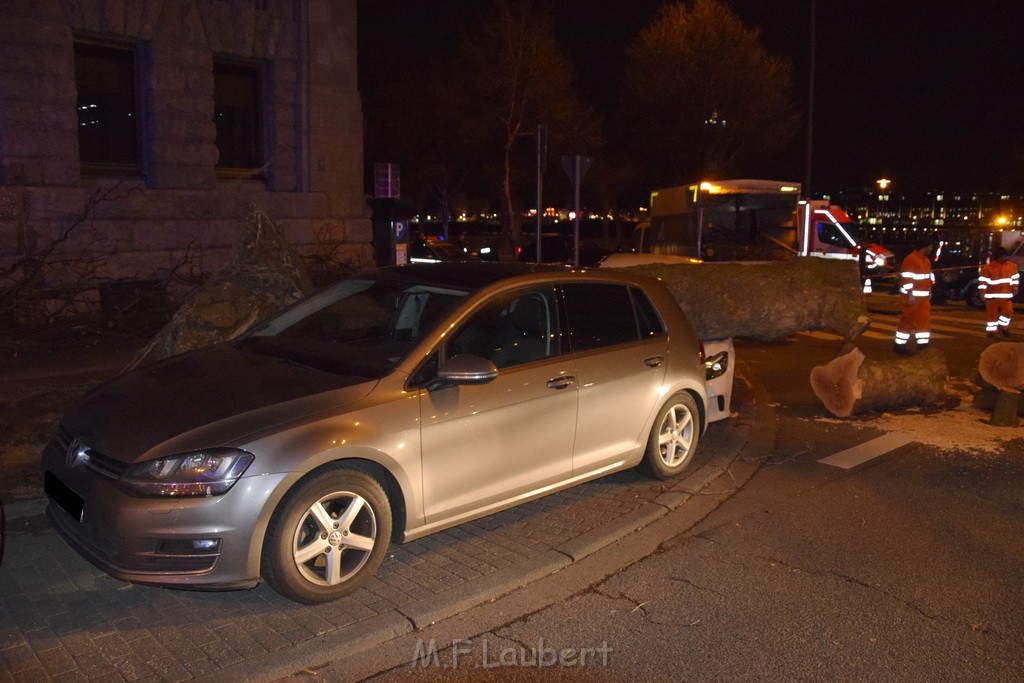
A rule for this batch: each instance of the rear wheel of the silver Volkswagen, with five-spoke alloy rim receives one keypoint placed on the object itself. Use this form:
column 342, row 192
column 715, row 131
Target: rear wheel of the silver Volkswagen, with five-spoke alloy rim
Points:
column 674, row 438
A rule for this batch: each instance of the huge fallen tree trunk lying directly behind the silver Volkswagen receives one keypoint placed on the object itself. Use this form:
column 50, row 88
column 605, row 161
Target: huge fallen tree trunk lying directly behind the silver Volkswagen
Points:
column 766, row 302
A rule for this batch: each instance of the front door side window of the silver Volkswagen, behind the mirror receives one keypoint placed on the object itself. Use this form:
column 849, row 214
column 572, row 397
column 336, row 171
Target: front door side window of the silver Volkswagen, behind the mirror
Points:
column 513, row 329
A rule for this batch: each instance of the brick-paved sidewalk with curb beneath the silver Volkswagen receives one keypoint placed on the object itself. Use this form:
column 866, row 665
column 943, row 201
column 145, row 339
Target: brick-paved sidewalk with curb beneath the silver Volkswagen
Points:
column 63, row 620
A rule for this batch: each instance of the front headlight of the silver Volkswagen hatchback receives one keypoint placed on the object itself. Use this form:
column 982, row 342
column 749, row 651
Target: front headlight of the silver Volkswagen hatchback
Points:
column 209, row 473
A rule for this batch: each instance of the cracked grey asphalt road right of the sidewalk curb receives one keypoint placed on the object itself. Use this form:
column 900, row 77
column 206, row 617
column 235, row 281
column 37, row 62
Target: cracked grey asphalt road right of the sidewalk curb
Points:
column 905, row 569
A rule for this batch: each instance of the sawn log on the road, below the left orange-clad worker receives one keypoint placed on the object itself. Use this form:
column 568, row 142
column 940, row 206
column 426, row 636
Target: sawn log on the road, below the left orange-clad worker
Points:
column 850, row 385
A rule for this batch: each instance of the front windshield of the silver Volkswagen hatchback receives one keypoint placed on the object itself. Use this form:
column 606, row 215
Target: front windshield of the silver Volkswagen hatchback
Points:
column 362, row 326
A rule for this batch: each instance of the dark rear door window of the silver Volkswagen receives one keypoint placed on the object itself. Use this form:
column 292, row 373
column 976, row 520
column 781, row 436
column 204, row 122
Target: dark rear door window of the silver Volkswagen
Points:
column 600, row 316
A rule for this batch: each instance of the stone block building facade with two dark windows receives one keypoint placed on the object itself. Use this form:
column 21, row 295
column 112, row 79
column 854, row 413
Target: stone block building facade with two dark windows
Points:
column 137, row 134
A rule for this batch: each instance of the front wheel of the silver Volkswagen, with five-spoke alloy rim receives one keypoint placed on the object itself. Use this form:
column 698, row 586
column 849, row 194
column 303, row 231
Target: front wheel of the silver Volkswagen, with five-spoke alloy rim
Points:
column 328, row 536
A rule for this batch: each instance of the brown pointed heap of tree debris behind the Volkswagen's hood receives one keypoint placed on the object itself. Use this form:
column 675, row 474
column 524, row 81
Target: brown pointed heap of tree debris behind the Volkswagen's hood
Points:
column 264, row 276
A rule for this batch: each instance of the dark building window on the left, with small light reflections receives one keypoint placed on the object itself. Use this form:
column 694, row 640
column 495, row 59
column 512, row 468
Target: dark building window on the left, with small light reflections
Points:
column 108, row 109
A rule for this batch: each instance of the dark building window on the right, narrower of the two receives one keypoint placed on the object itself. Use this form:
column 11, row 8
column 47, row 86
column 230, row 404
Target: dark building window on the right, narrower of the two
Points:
column 237, row 115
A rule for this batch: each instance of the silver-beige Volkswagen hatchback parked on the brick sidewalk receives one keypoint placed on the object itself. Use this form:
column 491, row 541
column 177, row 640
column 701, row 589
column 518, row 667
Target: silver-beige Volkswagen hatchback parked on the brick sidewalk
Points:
column 395, row 404
